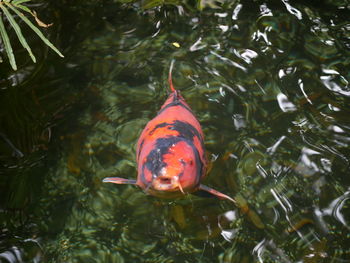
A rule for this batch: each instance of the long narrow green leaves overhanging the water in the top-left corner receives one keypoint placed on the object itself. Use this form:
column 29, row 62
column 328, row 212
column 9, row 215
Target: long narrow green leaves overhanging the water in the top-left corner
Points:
column 8, row 9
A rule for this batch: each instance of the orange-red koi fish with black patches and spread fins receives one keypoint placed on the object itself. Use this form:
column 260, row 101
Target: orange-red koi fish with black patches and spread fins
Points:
column 170, row 155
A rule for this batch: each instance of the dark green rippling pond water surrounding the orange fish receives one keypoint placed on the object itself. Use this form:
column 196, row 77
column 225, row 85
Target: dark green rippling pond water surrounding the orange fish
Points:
column 269, row 83
